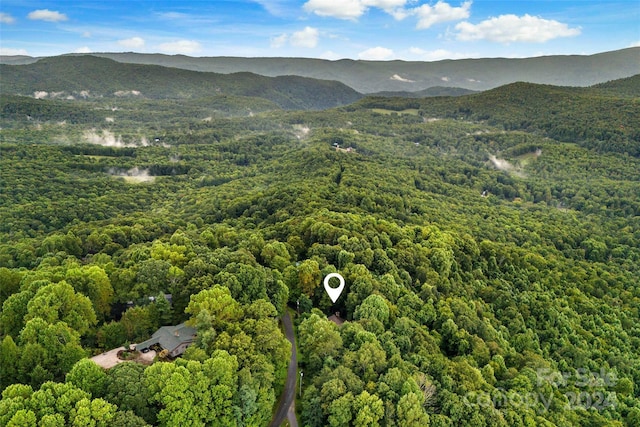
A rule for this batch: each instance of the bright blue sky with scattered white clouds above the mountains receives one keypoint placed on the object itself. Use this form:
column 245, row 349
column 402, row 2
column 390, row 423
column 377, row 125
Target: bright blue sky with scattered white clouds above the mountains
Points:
column 358, row 29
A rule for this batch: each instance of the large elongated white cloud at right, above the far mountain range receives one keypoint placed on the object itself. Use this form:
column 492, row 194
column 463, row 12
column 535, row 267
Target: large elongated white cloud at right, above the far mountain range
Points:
column 512, row 28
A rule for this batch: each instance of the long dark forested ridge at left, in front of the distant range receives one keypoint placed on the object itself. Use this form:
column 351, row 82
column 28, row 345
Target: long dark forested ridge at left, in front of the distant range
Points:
column 82, row 77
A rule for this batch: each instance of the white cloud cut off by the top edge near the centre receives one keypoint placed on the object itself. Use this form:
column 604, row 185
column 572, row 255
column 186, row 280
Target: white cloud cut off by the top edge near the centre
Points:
column 353, row 9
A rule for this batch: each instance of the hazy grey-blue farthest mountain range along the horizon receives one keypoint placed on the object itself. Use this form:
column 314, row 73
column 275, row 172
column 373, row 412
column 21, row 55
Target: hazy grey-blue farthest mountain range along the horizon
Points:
column 400, row 76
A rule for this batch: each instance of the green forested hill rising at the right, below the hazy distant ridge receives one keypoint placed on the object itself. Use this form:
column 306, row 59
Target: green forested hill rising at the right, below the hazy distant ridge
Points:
column 596, row 117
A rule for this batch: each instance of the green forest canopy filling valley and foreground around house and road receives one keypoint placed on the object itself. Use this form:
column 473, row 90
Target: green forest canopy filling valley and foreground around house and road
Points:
column 490, row 245
